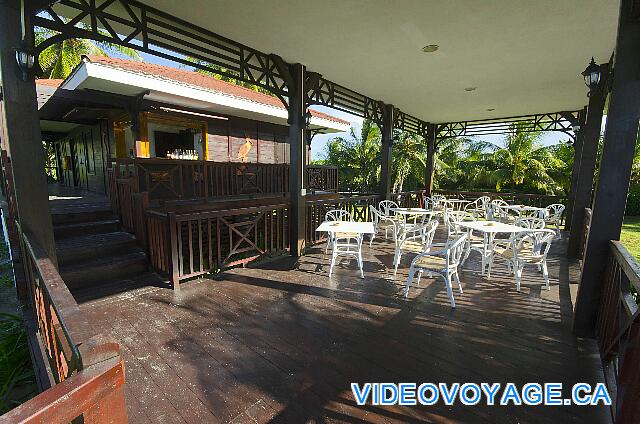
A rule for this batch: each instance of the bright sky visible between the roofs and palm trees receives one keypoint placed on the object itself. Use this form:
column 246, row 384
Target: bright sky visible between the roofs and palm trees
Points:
column 319, row 142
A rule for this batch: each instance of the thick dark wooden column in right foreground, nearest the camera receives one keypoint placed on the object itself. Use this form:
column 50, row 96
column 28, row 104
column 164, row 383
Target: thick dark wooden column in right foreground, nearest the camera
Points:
column 615, row 167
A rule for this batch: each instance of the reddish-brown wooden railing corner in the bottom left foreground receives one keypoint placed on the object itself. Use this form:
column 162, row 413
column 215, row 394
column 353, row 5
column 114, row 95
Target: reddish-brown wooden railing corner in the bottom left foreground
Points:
column 85, row 369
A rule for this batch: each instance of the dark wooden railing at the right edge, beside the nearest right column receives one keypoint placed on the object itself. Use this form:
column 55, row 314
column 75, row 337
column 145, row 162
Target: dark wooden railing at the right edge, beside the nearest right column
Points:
column 618, row 333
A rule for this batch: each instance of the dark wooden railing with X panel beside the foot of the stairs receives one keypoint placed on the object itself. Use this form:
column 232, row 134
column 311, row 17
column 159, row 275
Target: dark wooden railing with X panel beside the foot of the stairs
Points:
column 187, row 245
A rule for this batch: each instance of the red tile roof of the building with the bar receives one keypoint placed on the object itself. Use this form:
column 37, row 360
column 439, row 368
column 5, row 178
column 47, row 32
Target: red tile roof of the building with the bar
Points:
column 198, row 80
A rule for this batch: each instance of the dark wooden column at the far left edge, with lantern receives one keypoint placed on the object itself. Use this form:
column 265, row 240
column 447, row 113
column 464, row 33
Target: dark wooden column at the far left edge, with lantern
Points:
column 22, row 129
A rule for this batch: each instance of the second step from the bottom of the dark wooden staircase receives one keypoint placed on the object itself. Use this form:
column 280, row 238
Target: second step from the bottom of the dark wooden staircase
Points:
column 85, row 248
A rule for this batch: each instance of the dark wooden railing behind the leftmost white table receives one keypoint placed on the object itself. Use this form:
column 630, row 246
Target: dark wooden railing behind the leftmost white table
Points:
column 358, row 206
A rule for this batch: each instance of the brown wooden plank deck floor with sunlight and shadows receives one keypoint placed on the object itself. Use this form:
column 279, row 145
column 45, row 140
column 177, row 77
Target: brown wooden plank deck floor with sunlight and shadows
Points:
column 282, row 343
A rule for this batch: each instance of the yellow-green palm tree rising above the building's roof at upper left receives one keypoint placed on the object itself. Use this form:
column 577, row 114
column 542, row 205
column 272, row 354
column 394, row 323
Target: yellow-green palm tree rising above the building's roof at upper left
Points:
column 59, row 59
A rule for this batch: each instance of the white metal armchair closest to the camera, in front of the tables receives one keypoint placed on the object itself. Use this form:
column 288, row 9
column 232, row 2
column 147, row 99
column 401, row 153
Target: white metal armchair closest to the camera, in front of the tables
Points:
column 443, row 262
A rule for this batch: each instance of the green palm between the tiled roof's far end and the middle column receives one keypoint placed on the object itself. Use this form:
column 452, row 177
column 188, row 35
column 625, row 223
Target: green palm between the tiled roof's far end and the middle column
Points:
column 357, row 158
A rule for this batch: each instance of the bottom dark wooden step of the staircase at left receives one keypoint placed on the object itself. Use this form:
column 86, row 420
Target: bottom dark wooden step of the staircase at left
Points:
column 111, row 268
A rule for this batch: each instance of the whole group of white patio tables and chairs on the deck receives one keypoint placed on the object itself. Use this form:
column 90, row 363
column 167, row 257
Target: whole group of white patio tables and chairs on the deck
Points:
column 519, row 235
